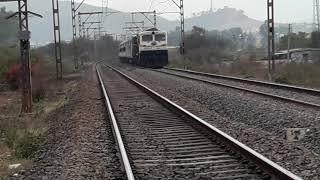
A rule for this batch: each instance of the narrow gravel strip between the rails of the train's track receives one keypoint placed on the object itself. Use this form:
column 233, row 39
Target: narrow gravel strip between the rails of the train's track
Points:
column 270, row 90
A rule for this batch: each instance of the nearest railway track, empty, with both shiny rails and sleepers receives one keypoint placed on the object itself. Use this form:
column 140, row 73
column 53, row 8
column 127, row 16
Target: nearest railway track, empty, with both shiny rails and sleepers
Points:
column 158, row 139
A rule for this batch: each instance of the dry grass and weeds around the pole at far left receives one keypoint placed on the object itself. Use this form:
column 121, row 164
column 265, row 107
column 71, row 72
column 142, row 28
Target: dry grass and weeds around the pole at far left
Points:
column 22, row 136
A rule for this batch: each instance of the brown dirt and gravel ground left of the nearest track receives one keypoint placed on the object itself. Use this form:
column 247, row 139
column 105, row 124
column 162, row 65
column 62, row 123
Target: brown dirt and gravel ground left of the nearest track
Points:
column 78, row 137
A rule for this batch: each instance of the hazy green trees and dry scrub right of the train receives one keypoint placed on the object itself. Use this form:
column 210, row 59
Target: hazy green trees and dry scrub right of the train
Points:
column 216, row 52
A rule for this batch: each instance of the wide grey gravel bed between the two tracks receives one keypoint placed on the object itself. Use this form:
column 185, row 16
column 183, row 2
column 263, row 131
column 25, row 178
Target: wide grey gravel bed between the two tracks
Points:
column 256, row 121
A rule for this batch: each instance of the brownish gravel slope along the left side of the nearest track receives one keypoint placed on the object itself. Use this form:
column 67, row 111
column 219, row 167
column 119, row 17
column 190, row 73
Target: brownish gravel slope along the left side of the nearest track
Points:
column 80, row 142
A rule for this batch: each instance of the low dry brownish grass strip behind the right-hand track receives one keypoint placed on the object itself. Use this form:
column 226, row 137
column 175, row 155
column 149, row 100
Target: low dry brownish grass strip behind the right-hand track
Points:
column 300, row 74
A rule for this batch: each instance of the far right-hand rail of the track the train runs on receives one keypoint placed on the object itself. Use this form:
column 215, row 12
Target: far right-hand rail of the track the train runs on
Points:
column 252, row 81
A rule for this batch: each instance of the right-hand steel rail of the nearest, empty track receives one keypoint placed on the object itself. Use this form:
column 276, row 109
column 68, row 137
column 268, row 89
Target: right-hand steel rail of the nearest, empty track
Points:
column 265, row 164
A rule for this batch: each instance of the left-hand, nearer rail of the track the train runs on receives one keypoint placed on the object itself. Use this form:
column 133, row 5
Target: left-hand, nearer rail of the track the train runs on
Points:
column 285, row 99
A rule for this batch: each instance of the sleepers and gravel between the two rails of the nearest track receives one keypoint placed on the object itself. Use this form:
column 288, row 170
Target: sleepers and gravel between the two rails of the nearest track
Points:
column 140, row 117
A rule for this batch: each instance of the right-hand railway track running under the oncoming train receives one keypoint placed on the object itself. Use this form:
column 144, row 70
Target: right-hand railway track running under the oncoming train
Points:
column 293, row 94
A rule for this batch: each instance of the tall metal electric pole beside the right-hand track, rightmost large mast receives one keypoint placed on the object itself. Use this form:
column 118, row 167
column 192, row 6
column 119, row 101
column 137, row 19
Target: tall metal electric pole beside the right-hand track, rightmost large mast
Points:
column 271, row 40
